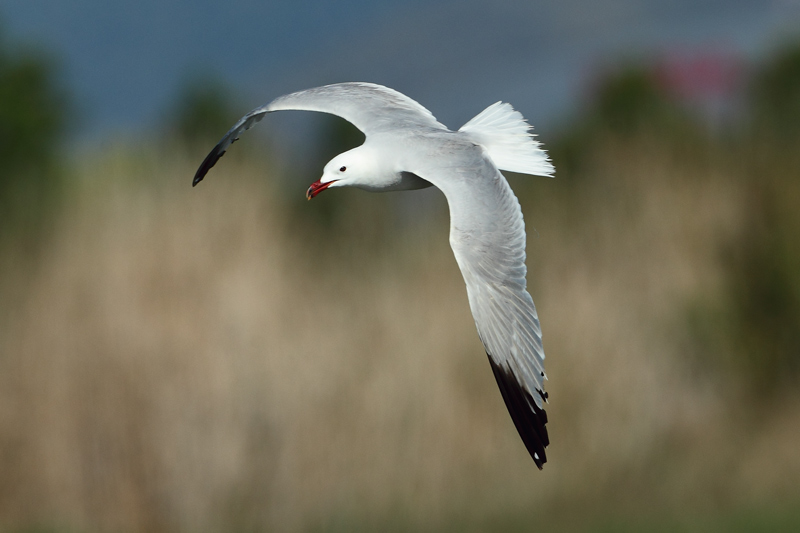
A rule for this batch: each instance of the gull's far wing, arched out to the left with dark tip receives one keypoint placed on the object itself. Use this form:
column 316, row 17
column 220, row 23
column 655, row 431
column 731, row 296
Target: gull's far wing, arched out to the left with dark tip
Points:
column 369, row 107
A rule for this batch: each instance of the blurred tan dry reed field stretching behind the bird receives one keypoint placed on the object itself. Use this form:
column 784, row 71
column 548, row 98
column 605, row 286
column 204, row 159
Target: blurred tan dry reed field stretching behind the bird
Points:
column 218, row 359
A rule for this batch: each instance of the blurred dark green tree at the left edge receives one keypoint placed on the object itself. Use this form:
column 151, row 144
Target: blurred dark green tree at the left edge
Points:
column 33, row 119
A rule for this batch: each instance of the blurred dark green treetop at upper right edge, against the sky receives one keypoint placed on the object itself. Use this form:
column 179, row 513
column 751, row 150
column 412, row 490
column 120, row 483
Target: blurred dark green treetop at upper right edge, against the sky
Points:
column 775, row 95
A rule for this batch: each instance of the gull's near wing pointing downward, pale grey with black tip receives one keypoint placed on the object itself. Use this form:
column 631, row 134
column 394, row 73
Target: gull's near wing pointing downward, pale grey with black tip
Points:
column 487, row 234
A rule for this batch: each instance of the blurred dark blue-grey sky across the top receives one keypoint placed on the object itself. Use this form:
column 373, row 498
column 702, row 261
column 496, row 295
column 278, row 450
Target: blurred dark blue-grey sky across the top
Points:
column 125, row 60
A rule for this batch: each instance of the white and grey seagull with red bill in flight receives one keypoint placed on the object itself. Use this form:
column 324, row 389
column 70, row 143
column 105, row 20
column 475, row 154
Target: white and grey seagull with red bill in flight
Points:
column 407, row 148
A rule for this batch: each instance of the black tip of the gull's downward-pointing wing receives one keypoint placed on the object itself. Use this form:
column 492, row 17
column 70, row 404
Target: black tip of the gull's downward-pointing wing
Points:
column 529, row 418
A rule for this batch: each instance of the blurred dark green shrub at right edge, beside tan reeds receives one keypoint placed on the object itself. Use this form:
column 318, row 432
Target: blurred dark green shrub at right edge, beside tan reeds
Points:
column 764, row 283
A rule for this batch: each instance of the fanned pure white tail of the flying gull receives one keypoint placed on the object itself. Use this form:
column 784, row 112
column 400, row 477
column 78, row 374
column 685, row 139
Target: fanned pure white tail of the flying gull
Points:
column 505, row 135
